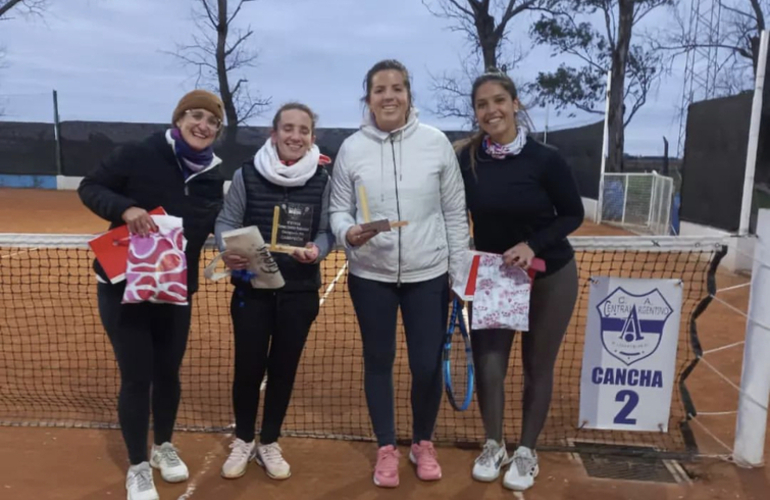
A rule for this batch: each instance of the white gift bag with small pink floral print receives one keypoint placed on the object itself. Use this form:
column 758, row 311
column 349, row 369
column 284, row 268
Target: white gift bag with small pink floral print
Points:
column 501, row 299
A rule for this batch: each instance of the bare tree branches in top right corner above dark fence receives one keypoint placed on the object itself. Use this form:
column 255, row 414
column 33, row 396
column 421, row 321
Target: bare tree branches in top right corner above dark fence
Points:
column 736, row 48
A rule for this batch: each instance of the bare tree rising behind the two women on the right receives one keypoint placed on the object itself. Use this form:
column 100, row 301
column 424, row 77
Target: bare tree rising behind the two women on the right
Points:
column 485, row 24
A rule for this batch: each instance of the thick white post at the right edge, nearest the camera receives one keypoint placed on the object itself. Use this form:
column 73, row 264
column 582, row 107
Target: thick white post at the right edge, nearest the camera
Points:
column 755, row 378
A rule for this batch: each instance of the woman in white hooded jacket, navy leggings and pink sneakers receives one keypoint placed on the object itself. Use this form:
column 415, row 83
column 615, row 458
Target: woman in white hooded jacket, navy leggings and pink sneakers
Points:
column 410, row 173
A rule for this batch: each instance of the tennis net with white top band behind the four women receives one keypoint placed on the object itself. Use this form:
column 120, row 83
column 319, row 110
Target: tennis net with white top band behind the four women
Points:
column 58, row 369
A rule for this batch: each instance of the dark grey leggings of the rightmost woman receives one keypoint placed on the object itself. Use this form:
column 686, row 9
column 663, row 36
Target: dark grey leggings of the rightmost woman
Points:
column 552, row 301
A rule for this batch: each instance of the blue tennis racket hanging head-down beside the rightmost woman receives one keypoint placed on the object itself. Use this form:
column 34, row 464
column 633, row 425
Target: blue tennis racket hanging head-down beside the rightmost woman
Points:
column 458, row 360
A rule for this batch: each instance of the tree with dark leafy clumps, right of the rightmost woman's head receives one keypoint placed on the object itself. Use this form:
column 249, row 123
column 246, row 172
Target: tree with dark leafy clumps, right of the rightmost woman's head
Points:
column 633, row 68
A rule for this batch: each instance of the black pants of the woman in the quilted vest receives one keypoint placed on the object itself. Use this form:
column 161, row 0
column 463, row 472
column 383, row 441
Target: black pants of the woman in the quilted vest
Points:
column 270, row 333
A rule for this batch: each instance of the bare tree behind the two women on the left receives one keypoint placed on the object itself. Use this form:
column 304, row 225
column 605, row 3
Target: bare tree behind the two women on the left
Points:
column 218, row 52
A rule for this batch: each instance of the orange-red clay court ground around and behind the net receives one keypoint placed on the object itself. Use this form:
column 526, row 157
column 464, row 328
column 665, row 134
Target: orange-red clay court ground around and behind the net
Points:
column 90, row 464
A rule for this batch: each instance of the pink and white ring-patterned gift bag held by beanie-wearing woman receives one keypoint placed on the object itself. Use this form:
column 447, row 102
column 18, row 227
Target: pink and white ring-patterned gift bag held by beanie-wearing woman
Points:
column 156, row 270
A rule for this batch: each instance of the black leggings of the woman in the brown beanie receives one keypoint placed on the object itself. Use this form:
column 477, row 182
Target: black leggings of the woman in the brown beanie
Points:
column 149, row 341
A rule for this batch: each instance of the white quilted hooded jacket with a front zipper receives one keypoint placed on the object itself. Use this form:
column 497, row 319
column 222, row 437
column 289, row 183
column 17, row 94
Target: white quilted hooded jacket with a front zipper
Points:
column 412, row 175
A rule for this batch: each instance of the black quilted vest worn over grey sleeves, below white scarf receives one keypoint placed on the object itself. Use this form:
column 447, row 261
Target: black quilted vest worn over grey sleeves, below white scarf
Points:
column 261, row 198
